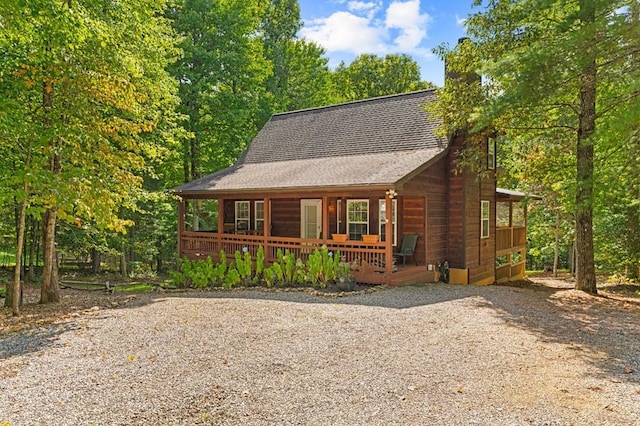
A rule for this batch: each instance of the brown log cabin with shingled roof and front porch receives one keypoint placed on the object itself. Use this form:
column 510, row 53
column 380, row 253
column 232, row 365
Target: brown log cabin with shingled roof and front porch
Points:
column 358, row 178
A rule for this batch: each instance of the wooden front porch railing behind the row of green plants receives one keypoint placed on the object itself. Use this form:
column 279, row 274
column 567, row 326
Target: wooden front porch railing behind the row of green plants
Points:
column 203, row 244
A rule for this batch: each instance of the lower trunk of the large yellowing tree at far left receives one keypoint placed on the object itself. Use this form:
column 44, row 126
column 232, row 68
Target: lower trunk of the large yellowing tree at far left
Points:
column 50, row 290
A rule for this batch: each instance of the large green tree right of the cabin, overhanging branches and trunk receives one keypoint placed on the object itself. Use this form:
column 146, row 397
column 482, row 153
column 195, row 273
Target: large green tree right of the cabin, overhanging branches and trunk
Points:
column 558, row 70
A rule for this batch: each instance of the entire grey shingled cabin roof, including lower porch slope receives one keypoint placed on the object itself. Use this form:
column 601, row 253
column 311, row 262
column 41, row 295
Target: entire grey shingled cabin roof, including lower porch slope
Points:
column 374, row 142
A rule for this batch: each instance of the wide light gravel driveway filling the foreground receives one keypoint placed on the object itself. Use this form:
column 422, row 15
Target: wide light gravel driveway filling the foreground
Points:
column 419, row 355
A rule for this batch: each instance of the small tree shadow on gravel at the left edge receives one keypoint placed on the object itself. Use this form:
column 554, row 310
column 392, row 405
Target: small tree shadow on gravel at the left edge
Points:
column 33, row 340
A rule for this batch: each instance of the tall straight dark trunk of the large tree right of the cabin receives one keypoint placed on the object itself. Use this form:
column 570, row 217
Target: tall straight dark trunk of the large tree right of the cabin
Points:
column 585, row 274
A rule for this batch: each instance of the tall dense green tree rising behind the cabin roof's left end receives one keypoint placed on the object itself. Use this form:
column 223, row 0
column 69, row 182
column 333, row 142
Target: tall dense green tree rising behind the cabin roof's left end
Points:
column 222, row 75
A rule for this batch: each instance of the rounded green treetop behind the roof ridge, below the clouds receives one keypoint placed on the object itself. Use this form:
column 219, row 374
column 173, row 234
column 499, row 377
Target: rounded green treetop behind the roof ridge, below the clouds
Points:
column 370, row 76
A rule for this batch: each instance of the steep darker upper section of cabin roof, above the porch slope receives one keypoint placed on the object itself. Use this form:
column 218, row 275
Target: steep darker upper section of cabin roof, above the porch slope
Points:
column 378, row 125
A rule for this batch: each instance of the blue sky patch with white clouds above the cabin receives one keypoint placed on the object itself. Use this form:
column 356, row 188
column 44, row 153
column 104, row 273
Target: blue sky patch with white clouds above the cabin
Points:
column 348, row 28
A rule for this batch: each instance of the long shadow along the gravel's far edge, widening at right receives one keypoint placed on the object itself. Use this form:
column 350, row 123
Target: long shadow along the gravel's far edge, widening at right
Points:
column 602, row 331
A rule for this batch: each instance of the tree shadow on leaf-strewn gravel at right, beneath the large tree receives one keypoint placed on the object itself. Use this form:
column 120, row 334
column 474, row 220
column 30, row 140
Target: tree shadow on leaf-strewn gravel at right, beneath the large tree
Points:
column 603, row 331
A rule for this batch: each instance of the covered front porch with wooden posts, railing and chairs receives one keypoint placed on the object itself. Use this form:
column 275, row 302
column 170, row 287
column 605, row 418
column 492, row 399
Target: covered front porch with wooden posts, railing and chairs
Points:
column 300, row 223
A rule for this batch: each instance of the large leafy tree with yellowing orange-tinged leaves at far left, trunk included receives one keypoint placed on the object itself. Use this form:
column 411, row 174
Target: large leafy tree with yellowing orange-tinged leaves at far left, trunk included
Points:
column 89, row 79
